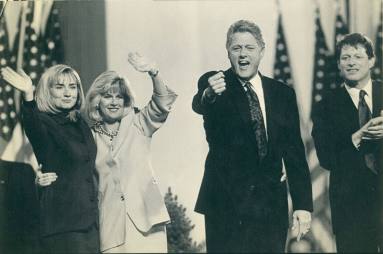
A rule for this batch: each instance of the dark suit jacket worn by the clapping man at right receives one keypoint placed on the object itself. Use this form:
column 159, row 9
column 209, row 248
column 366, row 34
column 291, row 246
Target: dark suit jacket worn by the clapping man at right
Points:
column 353, row 187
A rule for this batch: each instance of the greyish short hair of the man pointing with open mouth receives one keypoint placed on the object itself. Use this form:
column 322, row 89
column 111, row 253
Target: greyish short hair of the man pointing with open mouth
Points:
column 242, row 26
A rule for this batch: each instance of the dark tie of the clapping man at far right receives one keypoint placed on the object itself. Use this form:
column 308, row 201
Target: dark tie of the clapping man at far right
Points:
column 364, row 117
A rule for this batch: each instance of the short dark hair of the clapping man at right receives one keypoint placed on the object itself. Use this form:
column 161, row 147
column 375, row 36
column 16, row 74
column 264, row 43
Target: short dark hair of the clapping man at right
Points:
column 354, row 40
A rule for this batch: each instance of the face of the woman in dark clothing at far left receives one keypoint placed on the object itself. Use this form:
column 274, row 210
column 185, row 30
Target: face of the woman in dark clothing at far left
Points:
column 64, row 93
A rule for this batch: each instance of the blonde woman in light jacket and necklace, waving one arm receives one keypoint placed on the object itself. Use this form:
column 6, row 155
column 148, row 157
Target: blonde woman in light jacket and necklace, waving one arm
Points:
column 132, row 209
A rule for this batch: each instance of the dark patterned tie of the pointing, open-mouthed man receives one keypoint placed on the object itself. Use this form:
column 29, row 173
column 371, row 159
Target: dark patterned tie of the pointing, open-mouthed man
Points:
column 258, row 125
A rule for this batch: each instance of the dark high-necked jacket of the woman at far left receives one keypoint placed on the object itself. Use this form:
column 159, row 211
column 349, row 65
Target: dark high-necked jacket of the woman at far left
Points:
column 67, row 148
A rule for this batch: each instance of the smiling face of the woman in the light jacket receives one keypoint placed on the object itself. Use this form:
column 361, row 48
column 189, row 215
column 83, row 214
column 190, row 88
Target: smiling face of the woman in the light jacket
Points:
column 111, row 106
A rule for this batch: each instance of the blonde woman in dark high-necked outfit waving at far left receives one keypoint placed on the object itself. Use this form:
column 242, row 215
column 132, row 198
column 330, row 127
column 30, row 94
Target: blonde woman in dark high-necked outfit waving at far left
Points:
column 62, row 143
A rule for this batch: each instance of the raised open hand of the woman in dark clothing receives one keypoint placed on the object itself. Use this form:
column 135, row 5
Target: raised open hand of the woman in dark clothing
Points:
column 20, row 80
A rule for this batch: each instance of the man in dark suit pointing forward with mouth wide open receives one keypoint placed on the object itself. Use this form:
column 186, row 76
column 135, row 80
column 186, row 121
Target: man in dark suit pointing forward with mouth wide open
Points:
column 251, row 123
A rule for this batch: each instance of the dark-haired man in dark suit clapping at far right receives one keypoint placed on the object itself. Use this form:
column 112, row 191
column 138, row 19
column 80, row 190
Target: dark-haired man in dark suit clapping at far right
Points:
column 348, row 134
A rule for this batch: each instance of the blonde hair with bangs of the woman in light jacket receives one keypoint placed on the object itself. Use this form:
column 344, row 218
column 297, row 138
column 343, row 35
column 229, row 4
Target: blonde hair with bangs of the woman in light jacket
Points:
column 101, row 85
